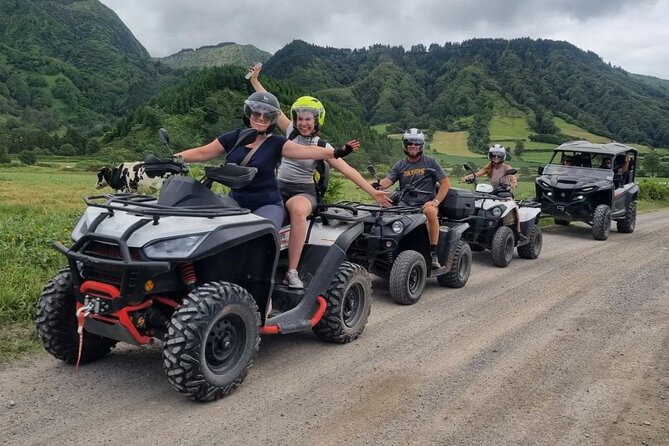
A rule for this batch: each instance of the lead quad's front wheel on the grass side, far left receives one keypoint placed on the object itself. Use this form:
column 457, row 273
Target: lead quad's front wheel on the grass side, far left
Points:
column 57, row 324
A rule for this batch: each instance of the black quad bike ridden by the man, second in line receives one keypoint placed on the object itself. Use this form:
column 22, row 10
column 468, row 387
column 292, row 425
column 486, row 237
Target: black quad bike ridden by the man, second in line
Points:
column 395, row 245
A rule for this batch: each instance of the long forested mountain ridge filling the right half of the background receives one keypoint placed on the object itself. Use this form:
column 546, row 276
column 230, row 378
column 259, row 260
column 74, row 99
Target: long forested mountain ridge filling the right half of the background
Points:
column 459, row 86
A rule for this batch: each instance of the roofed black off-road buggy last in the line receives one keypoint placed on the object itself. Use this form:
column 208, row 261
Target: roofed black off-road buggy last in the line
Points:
column 583, row 191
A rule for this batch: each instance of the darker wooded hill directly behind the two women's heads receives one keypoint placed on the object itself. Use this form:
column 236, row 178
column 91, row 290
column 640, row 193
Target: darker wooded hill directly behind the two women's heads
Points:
column 211, row 101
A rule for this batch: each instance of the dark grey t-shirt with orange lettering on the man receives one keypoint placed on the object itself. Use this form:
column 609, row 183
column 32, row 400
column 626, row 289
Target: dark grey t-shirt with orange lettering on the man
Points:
column 415, row 175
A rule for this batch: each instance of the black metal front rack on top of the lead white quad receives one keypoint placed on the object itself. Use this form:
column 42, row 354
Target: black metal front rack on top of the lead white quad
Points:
column 139, row 204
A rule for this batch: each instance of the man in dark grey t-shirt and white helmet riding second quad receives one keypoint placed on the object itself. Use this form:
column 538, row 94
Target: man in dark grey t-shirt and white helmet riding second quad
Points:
column 418, row 176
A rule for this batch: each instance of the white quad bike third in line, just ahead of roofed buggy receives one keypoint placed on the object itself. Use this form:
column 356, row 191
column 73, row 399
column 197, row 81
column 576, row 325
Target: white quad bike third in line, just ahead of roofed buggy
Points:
column 493, row 224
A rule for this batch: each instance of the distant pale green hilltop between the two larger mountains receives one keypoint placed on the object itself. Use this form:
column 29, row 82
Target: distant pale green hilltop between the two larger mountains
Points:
column 228, row 53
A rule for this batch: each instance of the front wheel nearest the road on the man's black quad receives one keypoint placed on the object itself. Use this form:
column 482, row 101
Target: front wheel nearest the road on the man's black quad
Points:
column 407, row 277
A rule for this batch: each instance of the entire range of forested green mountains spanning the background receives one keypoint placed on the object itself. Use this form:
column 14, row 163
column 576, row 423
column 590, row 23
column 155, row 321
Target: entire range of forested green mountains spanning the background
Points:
column 74, row 80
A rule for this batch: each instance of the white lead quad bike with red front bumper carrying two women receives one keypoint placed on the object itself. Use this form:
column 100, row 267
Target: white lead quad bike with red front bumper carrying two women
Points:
column 197, row 272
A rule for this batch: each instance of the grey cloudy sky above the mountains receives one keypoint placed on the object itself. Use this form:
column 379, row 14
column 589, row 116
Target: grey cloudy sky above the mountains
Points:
column 632, row 34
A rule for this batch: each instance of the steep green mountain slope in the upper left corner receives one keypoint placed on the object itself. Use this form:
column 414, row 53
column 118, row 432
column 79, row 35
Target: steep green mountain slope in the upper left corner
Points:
column 67, row 69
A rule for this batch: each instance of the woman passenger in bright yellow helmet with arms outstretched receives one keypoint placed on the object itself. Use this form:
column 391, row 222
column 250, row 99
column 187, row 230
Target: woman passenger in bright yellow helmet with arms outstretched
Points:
column 296, row 176
